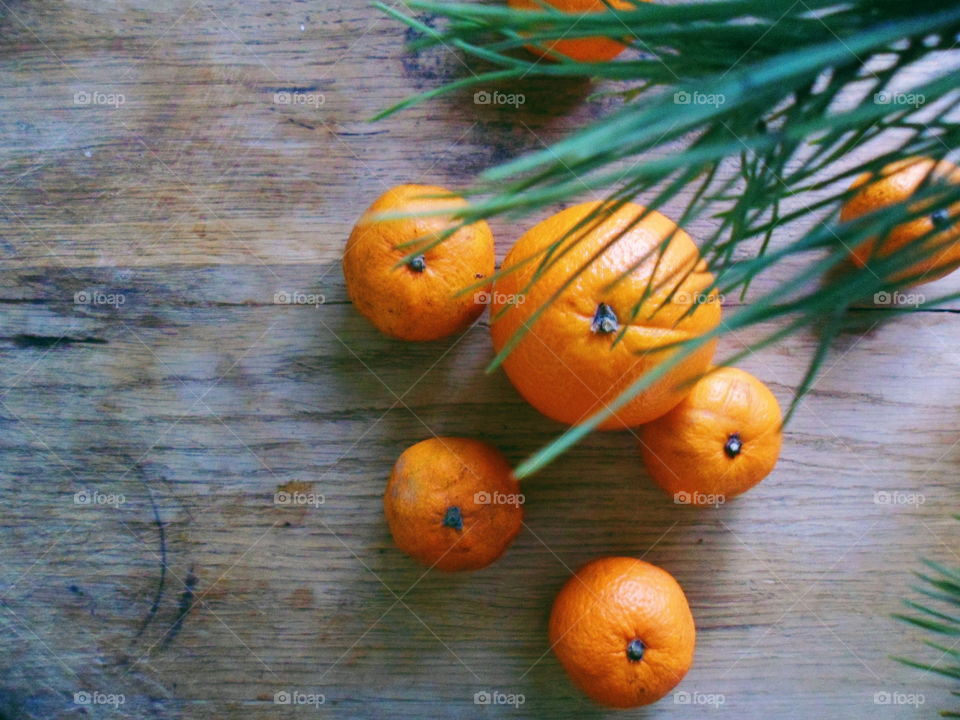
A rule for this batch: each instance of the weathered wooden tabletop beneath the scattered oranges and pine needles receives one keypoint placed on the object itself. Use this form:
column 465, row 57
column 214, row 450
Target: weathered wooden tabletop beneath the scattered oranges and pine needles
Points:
column 157, row 194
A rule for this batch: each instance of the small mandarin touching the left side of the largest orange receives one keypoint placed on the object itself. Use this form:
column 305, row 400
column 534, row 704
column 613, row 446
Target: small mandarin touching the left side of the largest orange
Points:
column 416, row 301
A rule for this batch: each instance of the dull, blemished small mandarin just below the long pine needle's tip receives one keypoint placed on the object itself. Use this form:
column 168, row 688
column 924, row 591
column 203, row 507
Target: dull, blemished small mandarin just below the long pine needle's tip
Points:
column 453, row 503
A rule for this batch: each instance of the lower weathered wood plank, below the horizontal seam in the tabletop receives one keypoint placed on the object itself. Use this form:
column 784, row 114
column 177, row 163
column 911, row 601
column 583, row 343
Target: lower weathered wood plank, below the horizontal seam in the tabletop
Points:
column 277, row 398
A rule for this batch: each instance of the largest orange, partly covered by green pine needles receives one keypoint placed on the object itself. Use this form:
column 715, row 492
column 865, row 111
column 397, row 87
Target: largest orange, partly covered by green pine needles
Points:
column 567, row 365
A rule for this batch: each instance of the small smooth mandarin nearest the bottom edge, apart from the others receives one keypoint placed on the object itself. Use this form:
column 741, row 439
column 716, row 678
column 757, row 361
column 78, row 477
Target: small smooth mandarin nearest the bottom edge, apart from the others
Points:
column 623, row 631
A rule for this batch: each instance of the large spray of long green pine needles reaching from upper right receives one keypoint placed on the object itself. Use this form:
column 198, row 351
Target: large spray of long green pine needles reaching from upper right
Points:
column 800, row 93
